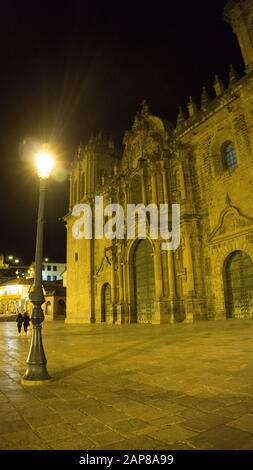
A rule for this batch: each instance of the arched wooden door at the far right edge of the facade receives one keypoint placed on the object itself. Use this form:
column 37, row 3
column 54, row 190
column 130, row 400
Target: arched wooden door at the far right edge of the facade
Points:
column 238, row 284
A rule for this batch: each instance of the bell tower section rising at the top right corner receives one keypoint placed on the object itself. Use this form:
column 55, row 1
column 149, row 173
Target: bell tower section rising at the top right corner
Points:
column 239, row 14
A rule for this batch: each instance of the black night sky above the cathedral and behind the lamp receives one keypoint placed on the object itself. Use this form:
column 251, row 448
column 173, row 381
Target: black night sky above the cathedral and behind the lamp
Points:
column 69, row 68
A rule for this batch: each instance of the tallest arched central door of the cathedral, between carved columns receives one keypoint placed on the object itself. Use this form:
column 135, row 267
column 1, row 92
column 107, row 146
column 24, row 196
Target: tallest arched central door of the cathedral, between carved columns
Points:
column 144, row 282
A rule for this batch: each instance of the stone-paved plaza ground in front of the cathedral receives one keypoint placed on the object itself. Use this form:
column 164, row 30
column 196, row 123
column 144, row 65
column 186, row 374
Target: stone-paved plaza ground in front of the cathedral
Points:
column 181, row 386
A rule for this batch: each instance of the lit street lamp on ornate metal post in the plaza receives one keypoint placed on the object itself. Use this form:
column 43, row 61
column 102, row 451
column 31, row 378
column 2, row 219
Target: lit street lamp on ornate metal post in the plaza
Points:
column 36, row 371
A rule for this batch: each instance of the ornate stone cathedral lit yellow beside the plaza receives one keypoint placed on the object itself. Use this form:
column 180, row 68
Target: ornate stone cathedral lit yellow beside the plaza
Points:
column 205, row 164
